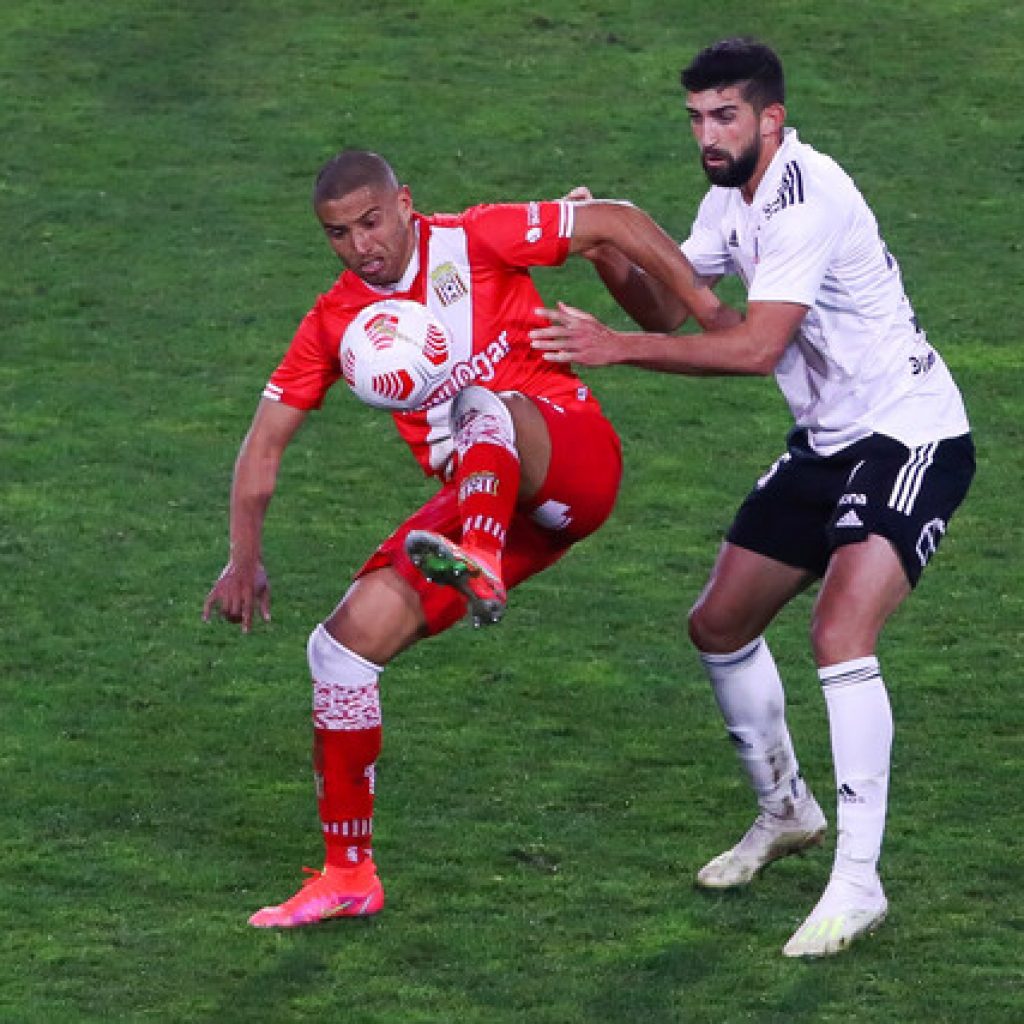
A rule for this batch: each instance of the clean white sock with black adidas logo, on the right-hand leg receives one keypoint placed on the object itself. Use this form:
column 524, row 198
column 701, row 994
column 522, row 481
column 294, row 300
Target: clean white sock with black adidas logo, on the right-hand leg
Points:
column 862, row 726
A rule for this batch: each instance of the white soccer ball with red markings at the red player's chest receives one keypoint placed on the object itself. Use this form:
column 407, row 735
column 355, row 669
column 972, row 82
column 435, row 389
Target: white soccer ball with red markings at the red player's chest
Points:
column 396, row 355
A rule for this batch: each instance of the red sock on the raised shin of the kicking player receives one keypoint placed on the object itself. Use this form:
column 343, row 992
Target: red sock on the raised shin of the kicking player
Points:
column 489, row 485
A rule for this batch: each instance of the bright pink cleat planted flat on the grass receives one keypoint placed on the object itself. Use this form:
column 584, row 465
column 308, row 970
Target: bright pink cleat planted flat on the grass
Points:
column 335, row 892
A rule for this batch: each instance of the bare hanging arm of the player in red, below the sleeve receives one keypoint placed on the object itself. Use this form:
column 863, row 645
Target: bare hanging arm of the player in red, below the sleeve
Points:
column 243, row 588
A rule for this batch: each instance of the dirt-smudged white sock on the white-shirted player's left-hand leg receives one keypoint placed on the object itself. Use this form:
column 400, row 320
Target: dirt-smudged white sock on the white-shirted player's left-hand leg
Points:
column 750, row 695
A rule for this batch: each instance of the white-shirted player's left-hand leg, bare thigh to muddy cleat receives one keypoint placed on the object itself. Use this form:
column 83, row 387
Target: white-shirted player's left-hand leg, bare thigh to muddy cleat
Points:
column 745, row 593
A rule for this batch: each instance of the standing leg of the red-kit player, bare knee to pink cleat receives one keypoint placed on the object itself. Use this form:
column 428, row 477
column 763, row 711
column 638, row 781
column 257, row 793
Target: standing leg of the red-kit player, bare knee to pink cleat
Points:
column 379, row 616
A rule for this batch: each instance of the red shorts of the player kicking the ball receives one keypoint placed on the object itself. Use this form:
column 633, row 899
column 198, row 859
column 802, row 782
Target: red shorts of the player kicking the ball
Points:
column 577, row 497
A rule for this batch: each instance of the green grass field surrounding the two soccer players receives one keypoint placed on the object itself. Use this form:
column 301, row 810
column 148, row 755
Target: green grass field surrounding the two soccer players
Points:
column 548, row 789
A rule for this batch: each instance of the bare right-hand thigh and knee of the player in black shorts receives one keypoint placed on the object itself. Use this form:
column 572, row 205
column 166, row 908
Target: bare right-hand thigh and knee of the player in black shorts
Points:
column 866, row 583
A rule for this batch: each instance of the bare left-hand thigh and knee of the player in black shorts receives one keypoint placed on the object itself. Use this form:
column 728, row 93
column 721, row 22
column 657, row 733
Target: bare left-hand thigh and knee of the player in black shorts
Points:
column 744, row 594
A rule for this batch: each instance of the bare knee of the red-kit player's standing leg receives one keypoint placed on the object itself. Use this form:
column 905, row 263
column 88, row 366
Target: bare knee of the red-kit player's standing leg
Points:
column 380, row 616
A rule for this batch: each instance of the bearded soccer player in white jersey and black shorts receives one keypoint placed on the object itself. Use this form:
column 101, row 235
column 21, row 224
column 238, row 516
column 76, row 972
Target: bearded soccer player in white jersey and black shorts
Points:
column 878, row 461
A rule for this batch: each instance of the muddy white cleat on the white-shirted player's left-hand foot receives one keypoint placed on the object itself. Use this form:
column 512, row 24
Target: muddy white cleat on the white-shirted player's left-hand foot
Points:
column 771, row 838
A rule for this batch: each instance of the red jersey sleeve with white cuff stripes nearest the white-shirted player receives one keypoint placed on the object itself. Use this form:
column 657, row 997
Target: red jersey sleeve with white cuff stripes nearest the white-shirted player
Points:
column 524, row 235
